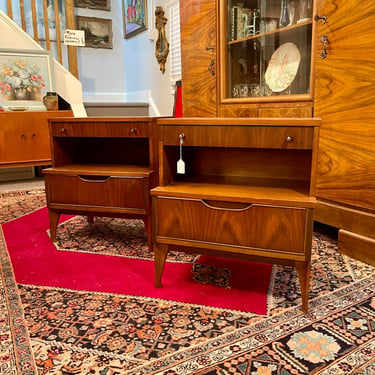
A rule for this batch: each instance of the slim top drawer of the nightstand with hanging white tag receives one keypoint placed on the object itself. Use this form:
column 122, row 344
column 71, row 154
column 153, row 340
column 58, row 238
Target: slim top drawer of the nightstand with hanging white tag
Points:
column 293, row 137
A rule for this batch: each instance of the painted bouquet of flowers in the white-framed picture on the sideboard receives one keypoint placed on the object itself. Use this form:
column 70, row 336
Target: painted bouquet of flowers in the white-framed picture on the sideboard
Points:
column 20, row 80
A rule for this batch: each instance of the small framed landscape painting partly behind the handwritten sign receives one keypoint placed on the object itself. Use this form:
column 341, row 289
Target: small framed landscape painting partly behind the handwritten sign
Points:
column 98, row 31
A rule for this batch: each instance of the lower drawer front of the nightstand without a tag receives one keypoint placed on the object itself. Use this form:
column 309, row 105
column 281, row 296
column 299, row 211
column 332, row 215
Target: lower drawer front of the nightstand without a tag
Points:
column 98, row 191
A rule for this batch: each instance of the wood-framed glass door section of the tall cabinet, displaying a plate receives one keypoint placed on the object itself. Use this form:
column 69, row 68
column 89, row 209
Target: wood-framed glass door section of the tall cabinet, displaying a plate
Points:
column 265, row 56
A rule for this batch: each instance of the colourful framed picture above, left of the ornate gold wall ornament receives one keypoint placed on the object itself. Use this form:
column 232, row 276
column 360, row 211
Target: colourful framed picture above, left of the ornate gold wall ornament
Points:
column 134, row 14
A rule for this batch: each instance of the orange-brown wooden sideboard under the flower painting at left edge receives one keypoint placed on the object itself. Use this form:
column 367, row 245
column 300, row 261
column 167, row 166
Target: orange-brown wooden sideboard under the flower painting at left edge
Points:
column 24, row 137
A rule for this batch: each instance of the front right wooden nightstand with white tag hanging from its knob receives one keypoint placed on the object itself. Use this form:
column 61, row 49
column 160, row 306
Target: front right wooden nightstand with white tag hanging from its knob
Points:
column 247, row 191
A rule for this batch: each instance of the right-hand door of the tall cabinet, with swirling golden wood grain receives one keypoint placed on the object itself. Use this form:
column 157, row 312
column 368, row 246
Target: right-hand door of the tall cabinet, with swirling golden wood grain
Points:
column 345, row 102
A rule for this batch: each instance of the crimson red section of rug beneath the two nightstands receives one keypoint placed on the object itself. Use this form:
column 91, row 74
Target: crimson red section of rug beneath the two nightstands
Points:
column 88, row 265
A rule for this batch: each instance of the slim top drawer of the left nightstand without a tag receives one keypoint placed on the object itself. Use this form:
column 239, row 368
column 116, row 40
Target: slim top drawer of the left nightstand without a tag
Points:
column 99, row 129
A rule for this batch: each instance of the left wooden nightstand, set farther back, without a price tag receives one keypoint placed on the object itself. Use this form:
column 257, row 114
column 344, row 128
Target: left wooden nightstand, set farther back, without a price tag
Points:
column 101, row 166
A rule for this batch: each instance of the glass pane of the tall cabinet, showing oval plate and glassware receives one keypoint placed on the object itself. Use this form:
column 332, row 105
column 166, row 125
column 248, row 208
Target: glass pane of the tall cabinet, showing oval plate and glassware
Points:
column 268, row 48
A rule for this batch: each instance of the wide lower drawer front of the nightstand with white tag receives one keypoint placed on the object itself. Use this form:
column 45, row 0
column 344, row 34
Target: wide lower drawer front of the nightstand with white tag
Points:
column 256, row 226
